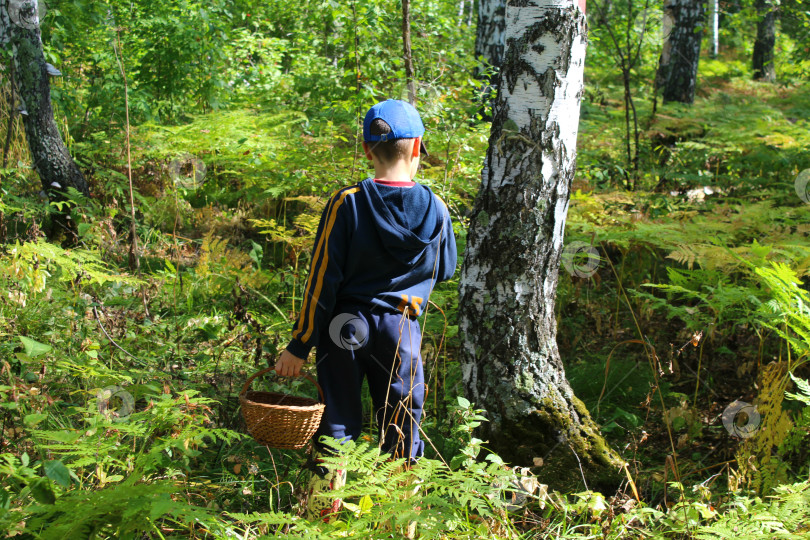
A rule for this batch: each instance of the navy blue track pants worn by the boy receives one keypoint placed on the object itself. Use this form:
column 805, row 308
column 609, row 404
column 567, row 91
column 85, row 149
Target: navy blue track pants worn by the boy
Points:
column 383, row 347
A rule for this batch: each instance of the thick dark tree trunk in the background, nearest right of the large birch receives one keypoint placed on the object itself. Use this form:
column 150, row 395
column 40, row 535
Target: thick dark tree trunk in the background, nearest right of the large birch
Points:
column 682, row 24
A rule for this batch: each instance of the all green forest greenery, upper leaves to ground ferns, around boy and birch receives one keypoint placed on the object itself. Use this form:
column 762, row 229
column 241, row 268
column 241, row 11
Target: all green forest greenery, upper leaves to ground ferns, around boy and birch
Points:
column 211, row 134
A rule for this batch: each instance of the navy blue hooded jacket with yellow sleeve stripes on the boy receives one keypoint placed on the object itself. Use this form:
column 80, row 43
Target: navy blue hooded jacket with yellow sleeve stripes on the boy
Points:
column 371, row 249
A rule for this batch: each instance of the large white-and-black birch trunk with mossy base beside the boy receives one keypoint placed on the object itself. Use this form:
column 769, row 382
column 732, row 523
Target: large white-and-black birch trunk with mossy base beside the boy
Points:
column 510, row 361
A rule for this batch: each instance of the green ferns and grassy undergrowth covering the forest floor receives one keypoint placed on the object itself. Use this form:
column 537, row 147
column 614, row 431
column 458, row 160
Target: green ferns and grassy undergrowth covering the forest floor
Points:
column 688, row 342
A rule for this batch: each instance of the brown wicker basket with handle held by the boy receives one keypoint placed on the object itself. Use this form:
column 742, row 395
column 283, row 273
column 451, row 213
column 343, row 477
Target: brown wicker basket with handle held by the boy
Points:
column 280, row 420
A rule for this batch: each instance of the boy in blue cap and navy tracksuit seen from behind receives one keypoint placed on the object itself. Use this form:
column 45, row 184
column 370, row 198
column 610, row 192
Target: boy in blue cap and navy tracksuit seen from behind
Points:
column 380, row 248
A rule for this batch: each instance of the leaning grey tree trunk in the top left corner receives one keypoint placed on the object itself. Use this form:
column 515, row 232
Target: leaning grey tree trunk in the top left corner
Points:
column 19, row 27
